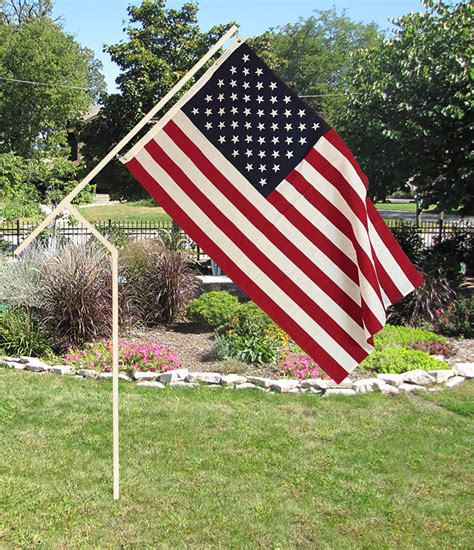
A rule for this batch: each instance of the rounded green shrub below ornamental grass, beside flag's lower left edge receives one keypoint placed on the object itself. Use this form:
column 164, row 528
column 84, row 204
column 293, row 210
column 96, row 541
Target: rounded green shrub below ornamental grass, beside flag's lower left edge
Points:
column 213, row 308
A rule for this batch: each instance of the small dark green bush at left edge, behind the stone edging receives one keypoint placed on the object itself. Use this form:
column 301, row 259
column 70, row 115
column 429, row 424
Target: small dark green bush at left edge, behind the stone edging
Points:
column 22, row 334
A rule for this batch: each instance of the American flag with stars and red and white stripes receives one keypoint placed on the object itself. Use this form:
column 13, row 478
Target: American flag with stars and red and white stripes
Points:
column 275, row 197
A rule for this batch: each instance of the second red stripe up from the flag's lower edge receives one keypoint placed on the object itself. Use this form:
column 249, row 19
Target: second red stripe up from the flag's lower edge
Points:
column 274, row 272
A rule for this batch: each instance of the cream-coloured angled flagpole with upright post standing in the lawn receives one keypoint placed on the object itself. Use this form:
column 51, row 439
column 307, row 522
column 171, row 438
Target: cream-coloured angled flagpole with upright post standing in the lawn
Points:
column 66, row 203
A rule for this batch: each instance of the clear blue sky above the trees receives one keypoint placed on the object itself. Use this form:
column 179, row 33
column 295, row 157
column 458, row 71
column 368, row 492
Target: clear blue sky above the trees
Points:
column 98, row 22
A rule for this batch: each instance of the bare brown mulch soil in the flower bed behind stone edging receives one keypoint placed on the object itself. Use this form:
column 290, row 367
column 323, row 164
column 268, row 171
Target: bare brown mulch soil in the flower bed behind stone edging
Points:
column 194, row 346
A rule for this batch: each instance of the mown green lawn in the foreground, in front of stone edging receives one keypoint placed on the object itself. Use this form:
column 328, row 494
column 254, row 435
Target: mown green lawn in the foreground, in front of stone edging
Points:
column 216, row 468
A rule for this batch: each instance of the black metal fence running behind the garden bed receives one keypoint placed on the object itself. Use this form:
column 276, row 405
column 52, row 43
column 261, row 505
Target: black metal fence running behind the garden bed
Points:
column 13, row 233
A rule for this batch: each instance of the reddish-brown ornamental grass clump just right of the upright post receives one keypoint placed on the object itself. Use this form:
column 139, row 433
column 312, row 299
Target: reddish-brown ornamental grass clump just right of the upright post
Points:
column 160, row 282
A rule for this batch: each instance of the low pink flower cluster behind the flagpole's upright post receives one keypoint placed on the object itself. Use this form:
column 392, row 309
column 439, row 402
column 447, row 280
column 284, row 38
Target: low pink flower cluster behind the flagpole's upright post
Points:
column 133, row 356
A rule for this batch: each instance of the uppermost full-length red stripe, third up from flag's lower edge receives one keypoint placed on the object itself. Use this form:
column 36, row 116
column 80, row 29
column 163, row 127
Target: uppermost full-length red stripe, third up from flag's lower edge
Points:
column 270, row 230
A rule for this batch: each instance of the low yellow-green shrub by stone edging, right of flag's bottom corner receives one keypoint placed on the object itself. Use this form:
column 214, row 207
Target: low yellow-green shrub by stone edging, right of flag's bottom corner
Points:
column 398, row 360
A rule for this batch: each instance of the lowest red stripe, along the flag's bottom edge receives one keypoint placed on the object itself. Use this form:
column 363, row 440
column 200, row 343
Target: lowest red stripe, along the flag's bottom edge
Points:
column 293, row 329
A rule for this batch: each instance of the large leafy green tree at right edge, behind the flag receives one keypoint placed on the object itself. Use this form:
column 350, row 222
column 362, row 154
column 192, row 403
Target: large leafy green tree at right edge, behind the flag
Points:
column 409, row 117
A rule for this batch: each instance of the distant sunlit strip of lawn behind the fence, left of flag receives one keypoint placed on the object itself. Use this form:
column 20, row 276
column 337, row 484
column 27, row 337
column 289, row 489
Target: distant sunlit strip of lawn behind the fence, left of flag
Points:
column 126, row 212
